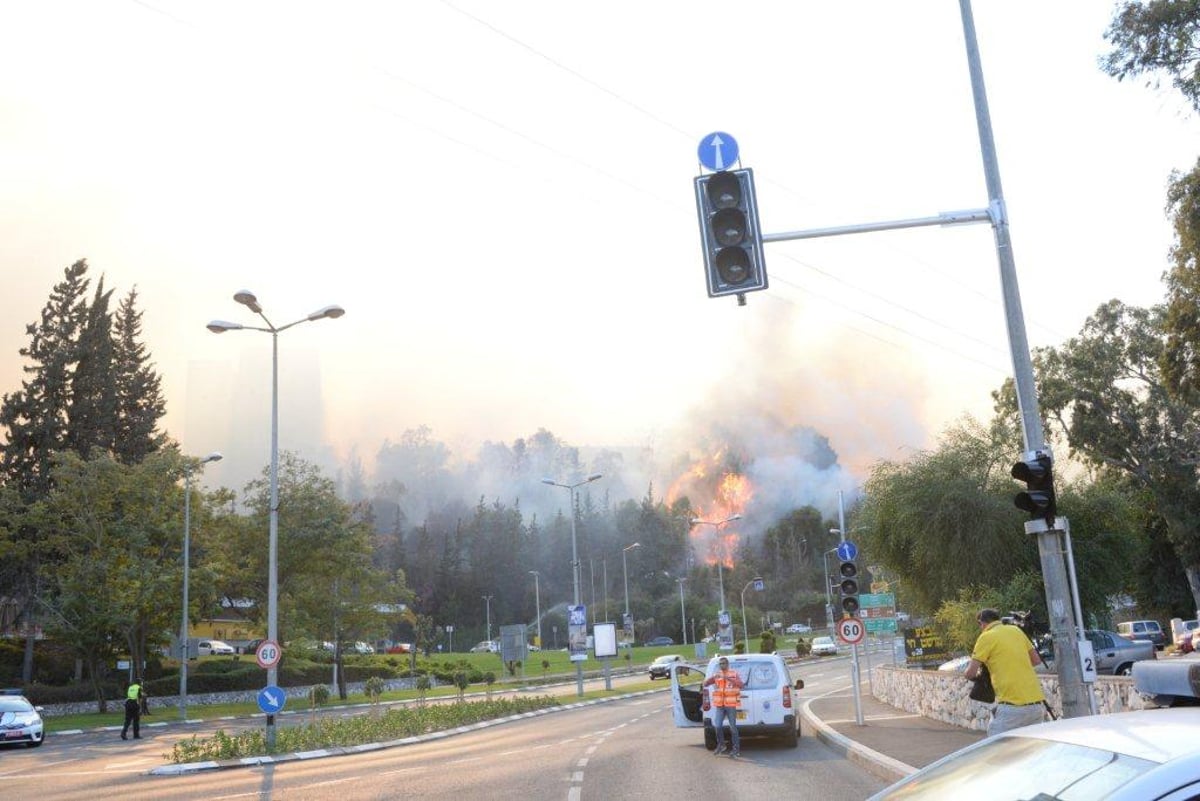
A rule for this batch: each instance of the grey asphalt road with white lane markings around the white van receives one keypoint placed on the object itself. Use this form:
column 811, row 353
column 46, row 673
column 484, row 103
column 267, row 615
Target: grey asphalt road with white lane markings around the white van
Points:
column 625, row 749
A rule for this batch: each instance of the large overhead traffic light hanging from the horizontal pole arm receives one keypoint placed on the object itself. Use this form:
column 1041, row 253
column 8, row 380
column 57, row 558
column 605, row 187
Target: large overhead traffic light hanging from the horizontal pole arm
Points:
column 730, row 234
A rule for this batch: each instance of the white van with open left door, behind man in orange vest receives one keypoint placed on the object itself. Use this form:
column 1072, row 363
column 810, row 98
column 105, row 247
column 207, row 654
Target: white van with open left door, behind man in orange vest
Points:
column 767, row 707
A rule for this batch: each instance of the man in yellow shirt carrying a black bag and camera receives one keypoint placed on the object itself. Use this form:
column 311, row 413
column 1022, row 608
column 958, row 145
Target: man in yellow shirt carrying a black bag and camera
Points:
column 1011, row 659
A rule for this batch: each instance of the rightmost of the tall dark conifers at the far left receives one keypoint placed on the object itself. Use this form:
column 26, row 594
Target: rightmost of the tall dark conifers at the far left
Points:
column 140, row 402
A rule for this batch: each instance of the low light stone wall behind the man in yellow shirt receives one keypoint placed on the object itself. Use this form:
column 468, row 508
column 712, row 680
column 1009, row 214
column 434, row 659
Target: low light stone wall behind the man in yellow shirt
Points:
column 943, row 695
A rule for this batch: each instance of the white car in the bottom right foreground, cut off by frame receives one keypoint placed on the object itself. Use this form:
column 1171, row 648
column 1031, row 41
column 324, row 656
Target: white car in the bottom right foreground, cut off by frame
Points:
column 1150, row 754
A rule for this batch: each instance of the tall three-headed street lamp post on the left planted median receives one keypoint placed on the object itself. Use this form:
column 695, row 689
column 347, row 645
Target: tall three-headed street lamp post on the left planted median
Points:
column 250, row 302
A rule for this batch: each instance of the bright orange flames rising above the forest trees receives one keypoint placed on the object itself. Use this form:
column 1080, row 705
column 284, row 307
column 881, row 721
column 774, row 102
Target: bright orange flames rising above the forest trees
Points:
column 718, row 493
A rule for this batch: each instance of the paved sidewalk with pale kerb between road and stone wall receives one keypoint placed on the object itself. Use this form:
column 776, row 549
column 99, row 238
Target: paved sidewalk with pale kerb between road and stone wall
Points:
column 891, row 743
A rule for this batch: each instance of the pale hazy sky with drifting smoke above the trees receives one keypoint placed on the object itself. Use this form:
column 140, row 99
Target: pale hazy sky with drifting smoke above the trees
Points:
column 500, row 196
